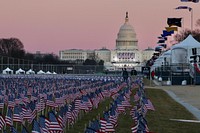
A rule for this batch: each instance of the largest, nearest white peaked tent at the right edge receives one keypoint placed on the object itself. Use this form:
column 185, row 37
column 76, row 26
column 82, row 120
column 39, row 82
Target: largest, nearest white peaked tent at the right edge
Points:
column 180, row 53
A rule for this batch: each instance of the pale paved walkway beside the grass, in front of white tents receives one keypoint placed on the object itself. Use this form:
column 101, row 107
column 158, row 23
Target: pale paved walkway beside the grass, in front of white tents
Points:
column 188, row 96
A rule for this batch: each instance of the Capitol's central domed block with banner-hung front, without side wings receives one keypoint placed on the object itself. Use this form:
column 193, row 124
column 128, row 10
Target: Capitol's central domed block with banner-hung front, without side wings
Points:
column 126, row 53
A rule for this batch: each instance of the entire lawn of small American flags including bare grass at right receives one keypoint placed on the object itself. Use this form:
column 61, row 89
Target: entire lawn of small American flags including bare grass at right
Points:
column 92, row 104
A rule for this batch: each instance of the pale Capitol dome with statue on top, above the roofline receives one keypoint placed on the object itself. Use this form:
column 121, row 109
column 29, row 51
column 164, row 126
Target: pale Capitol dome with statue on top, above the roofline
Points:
column 126, row 37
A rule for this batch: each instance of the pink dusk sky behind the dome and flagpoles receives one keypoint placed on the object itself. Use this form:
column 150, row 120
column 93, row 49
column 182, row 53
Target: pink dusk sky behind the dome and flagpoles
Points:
column 54, row 25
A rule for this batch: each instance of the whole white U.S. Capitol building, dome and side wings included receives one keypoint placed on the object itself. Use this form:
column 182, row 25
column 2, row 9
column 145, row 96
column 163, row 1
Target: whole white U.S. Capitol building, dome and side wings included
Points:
column 126, row 53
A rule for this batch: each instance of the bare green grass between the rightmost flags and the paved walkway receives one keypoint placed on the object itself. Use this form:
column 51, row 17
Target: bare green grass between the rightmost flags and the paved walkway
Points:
column 166, row 109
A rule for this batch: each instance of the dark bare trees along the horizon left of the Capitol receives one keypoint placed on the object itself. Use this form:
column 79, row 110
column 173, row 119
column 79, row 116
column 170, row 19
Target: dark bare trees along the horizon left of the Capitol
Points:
column 14, row 48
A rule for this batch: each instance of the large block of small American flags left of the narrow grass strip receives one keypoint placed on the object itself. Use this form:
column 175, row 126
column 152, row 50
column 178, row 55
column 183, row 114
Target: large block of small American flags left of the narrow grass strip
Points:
column 42, row 103
